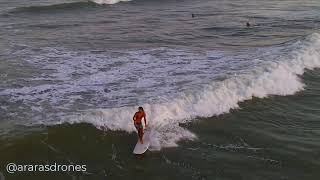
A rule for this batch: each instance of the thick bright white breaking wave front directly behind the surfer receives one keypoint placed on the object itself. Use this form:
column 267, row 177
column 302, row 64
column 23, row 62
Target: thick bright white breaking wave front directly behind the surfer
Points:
column 276, row 78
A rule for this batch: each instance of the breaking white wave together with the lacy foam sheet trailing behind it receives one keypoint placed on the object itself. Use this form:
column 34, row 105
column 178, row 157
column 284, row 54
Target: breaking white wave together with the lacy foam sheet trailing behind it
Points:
column 174, row 86
